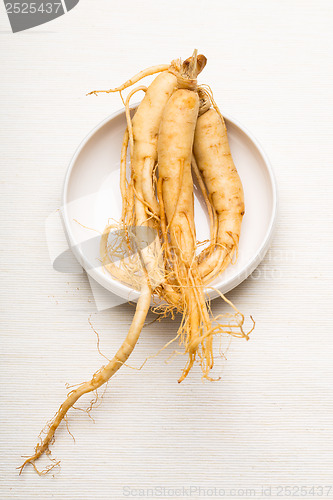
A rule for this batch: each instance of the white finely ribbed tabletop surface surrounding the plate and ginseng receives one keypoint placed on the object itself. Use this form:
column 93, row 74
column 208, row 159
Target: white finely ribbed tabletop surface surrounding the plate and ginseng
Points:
column 269, row 420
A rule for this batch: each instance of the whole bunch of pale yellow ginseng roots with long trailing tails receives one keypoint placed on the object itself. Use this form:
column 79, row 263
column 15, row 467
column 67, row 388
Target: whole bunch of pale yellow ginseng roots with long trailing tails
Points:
column 174, row 130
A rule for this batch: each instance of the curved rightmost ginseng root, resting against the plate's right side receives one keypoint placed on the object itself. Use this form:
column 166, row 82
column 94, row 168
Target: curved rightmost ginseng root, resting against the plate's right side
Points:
column 214, row 160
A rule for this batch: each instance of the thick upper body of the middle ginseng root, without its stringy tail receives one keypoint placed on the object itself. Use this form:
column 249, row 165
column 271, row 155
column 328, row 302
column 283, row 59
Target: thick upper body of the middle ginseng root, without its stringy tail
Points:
column 174, row 163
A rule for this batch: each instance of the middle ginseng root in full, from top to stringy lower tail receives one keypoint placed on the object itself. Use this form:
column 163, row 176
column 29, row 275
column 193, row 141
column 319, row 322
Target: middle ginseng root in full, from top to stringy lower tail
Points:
column 176, row 196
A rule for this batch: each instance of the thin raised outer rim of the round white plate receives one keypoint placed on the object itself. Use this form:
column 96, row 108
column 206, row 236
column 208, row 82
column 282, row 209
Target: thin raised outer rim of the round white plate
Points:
column 128, row 293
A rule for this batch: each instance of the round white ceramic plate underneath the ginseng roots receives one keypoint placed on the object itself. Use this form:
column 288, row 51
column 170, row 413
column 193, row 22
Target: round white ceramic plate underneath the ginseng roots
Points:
column 91, row 196
